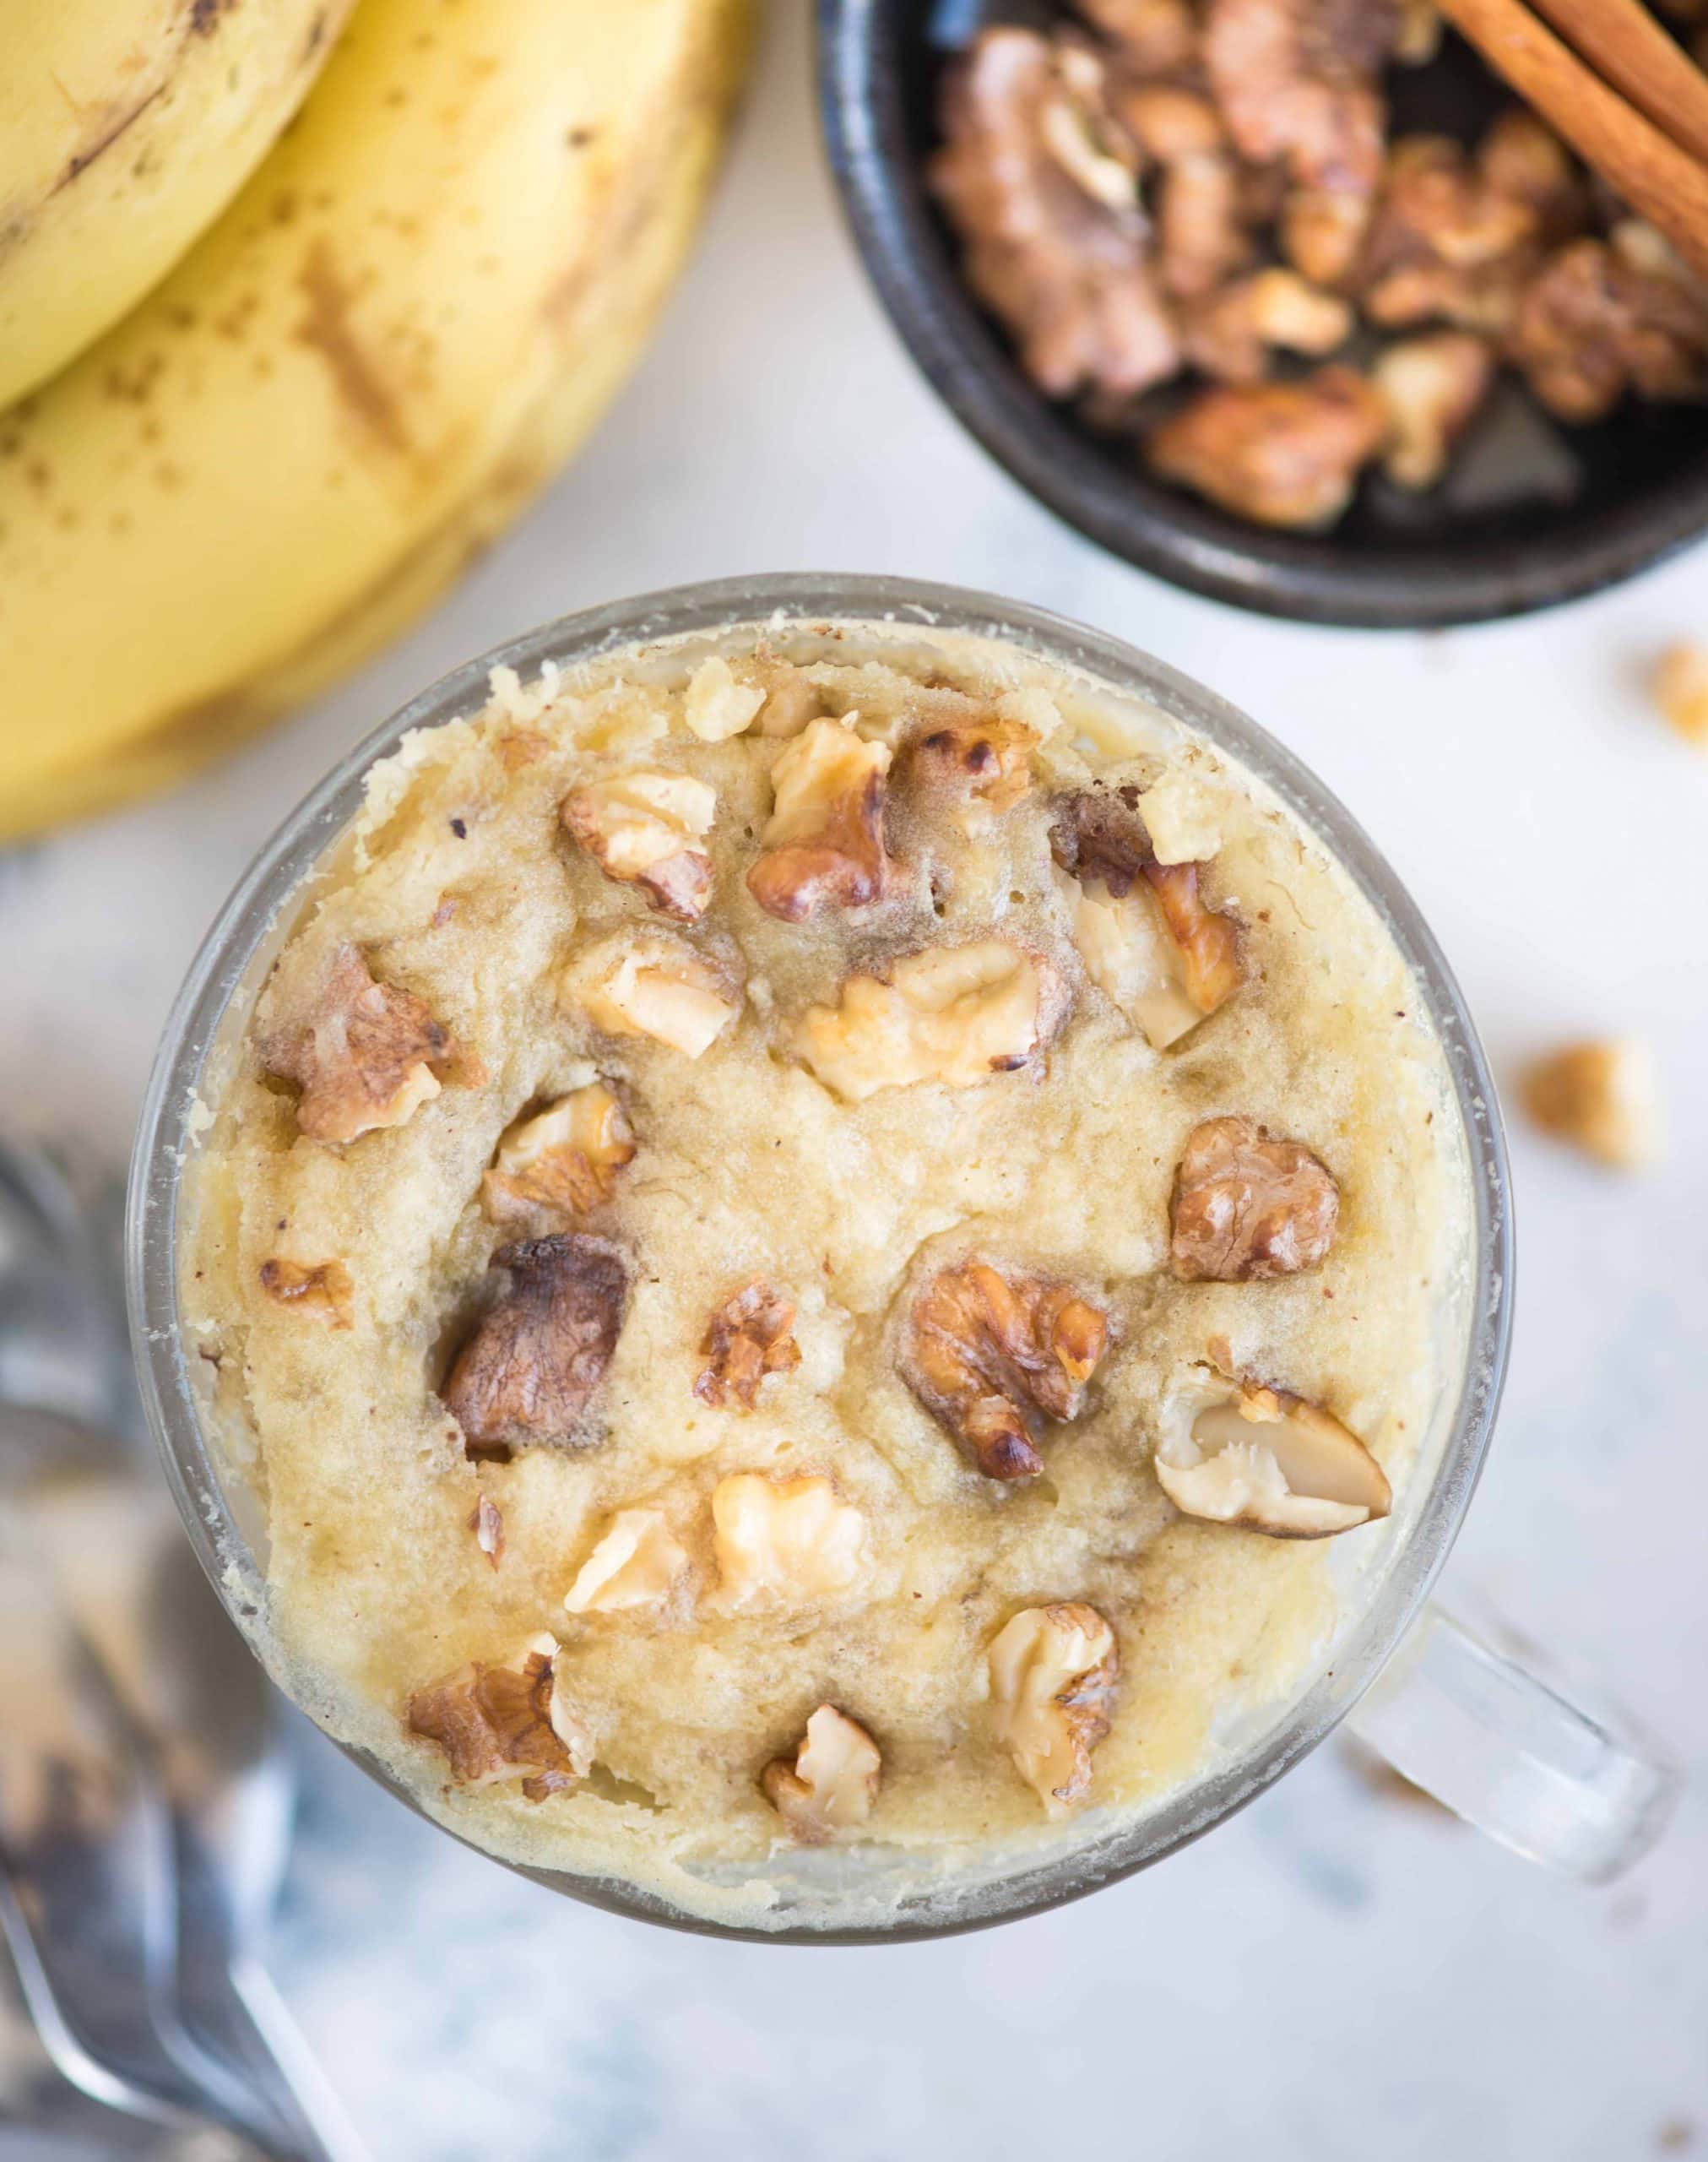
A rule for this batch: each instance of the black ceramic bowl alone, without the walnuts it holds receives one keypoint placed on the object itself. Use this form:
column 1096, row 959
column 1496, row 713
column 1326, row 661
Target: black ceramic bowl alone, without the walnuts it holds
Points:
column 1532, row 513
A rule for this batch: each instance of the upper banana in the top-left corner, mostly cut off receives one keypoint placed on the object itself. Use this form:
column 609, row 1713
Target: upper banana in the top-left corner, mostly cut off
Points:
column 126, row 126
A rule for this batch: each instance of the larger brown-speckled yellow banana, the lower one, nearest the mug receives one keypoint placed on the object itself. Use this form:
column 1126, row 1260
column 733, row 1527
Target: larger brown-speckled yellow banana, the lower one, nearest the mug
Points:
column 366, row 364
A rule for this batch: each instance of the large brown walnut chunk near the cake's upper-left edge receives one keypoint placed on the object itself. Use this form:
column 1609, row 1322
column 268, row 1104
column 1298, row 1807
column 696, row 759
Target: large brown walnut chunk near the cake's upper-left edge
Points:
column 366, row 1054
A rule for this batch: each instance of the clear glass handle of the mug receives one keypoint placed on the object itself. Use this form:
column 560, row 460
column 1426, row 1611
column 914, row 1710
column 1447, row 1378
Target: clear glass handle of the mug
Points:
column 1551, row 1767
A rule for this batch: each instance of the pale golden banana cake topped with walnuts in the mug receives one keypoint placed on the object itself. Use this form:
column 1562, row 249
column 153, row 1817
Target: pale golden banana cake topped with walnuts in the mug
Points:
column 820, row 1242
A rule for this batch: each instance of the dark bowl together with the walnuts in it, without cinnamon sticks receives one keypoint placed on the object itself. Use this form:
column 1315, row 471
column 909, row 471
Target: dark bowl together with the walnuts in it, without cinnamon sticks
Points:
column 1287, row 302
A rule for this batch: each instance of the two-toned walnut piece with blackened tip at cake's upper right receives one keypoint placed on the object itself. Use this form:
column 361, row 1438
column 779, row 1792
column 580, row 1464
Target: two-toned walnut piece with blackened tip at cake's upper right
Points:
column 1143, row 929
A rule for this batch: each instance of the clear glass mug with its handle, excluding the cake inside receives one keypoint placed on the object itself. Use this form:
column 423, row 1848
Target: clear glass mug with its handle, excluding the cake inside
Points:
column 1543, row 1767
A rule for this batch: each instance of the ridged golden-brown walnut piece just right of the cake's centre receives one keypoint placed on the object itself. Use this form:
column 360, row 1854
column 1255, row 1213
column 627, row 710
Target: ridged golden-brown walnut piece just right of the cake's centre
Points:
column 993, row 1357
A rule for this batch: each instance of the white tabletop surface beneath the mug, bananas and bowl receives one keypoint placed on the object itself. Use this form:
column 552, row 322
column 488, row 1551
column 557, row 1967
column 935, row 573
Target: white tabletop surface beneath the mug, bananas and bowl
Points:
column 1333, row 1975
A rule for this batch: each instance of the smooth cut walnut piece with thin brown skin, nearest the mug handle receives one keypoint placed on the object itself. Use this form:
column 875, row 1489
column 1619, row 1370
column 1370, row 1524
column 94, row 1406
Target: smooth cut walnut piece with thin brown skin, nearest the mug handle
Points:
column 1244, row 1454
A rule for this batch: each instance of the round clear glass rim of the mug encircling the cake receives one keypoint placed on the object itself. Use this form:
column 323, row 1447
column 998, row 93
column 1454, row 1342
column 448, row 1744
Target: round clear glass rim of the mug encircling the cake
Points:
column 273, row 885
